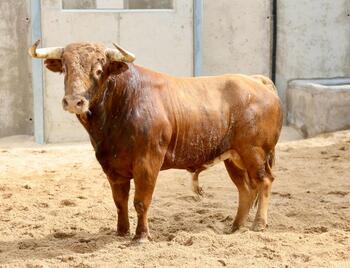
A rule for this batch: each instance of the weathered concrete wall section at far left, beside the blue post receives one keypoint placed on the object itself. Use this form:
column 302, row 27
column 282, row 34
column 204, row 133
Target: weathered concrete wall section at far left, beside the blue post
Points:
column 15, row 79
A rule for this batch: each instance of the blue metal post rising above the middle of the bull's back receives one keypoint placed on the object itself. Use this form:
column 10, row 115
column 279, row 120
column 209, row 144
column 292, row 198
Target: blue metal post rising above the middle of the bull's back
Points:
column 197, row 30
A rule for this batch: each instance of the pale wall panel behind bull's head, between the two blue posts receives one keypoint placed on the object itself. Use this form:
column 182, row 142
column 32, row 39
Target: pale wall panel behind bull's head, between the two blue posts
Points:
column 161, row 40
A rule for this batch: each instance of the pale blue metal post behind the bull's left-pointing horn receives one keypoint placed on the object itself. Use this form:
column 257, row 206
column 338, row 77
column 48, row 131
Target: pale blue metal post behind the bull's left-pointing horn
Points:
column 37, row 76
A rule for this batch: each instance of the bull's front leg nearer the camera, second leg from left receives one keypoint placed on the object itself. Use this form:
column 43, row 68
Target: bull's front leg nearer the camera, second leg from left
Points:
column 145, row 176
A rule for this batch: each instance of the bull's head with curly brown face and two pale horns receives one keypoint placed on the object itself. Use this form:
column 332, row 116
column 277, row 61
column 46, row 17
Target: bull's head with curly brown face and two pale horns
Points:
column 84, row 66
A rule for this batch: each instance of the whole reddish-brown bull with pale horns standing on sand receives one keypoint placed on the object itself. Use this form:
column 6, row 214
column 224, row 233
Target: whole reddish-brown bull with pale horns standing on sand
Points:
column 141, row 122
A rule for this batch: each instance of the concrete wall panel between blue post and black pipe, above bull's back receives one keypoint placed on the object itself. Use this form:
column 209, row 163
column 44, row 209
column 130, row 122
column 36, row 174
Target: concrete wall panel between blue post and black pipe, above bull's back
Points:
column 237, row 37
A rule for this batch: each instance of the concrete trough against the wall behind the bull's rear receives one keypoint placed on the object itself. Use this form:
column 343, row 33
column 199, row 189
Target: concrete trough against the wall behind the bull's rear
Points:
column 319, row 106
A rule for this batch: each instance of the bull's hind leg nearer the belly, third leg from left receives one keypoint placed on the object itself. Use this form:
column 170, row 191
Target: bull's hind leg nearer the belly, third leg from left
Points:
column 245, row 193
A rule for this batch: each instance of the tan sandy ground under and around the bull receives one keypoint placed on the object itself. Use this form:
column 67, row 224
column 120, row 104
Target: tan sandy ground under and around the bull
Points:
column 56, row 210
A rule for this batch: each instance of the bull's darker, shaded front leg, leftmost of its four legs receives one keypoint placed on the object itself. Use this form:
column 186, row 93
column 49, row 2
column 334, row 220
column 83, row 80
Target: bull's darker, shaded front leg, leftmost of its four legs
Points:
column 120, row 190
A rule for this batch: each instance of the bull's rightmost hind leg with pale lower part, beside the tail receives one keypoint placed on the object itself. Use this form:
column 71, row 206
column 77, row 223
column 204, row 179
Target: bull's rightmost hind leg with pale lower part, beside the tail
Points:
column 261, row 179
